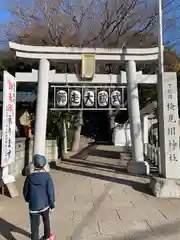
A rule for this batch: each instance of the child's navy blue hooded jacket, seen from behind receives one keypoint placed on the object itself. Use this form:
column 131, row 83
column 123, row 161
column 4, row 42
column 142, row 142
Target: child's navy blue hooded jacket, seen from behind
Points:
column 38, row 191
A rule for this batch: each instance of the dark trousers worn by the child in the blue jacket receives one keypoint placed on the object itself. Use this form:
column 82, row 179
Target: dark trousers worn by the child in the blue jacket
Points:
column 35, row 221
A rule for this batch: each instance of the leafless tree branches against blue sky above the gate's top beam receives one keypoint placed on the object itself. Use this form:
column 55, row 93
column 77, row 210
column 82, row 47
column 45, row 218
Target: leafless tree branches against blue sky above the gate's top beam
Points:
column 92, row 22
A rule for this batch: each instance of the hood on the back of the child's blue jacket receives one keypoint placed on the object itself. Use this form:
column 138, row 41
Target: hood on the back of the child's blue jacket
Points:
column 38, row 178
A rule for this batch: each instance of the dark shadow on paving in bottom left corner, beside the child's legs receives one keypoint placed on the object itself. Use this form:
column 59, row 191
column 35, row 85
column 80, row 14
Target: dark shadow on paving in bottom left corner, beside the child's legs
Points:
column 7, row 228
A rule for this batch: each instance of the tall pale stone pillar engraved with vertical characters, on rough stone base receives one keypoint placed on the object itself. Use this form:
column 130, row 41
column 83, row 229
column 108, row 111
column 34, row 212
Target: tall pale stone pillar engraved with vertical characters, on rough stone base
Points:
column 168, row 185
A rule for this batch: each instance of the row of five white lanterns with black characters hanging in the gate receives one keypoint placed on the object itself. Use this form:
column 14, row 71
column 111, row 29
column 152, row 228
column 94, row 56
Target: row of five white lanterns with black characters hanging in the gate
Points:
column 90, row 97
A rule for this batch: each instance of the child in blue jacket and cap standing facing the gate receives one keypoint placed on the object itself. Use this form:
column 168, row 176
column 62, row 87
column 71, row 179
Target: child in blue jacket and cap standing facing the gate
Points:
column 38, row 191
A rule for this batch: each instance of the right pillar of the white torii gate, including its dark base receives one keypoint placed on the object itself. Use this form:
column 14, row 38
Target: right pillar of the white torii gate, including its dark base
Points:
column 137, row 165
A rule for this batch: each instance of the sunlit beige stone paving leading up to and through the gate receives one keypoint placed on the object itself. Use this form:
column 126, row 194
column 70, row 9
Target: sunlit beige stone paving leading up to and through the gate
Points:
column 94, row 201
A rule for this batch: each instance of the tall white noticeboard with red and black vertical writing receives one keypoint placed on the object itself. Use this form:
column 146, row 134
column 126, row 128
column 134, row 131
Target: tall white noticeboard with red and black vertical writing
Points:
column 9, row 120
